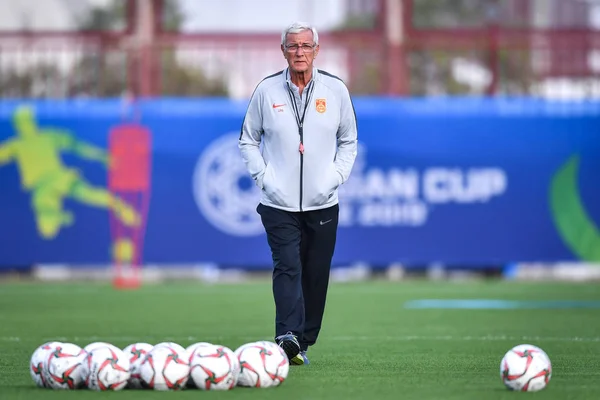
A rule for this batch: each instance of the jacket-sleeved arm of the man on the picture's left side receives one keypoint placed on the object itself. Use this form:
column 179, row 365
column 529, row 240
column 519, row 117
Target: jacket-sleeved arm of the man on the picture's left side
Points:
column 250, row 138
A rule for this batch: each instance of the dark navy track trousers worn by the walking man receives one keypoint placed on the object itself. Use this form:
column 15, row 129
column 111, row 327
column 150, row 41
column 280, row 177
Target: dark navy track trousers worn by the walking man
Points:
column 302, row 246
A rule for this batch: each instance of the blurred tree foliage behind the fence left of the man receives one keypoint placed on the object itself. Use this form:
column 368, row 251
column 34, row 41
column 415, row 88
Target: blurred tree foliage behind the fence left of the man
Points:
column 103, row 70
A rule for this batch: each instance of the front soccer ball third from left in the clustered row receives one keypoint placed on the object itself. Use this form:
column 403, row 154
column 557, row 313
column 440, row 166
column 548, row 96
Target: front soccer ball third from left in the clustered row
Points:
column 106, row 368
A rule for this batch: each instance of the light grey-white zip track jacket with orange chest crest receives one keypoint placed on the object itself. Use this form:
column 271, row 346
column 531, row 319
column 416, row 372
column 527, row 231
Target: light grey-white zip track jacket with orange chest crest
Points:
column 299, row 150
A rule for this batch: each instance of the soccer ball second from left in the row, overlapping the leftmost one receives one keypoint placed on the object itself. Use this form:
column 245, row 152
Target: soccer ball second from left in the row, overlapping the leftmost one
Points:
column 65, row 365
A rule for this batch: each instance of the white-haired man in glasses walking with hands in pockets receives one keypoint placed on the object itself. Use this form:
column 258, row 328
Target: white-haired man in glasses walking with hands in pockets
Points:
column 305, row 119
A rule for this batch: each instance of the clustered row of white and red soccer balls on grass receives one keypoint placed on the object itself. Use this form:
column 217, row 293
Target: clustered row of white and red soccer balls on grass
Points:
column 166, row 366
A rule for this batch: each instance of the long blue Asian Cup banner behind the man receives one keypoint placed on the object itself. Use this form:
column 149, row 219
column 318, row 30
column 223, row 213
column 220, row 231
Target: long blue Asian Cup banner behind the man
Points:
column 458, row 181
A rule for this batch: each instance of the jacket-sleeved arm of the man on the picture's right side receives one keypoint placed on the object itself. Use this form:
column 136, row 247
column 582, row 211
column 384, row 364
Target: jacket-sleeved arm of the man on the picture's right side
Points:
column 347, row 137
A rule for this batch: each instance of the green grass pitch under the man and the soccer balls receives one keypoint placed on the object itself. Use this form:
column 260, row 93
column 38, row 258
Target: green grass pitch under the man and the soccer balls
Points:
column 371, row 347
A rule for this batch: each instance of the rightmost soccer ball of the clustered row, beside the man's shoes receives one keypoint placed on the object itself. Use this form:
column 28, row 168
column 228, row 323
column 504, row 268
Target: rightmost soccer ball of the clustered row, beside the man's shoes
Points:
column 262, row 365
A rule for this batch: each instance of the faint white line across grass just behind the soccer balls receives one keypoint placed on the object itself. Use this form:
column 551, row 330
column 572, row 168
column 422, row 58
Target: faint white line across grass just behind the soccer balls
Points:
column 133, row 339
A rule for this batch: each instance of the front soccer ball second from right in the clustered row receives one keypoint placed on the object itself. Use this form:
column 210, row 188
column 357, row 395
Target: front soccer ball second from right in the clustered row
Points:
column 214, row 367
